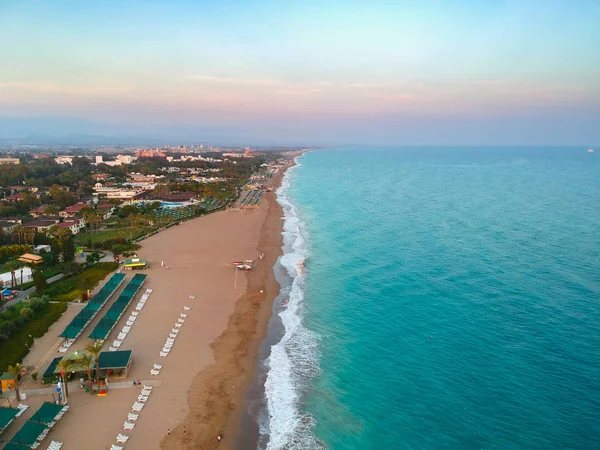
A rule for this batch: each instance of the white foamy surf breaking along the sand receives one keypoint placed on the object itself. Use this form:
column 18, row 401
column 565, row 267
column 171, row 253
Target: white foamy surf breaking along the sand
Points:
column 294, row 359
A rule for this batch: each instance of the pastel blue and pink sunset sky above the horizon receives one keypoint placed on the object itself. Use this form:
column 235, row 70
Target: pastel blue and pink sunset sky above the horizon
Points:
column 402, row 72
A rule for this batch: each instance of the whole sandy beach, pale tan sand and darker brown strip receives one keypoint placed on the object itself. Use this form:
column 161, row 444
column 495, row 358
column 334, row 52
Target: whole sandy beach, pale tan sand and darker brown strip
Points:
column 198, row 394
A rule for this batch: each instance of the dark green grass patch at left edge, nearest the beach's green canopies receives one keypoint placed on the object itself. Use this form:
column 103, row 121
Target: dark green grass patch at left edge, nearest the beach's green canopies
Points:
column 13, row 350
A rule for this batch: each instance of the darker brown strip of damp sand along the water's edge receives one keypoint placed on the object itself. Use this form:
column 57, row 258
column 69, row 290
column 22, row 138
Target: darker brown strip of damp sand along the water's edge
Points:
column 216, row 398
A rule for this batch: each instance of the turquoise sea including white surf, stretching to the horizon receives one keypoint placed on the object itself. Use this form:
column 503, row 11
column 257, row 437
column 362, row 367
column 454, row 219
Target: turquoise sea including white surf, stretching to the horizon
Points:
column 435, row 298
